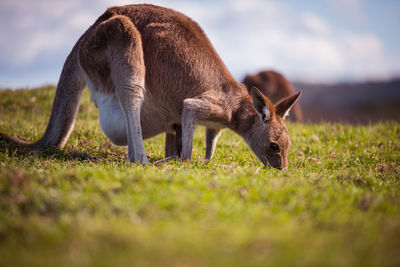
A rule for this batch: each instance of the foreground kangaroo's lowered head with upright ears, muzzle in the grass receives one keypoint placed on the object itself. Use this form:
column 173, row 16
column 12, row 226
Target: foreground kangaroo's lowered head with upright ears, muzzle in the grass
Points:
column 268, row 137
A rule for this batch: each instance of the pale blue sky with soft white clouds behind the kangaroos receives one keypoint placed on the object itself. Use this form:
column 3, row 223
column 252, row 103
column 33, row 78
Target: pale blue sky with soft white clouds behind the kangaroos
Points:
column 325, row 41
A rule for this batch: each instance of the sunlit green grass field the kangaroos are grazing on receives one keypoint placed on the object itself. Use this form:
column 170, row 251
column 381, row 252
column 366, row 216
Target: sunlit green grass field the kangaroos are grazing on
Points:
column 85, row 205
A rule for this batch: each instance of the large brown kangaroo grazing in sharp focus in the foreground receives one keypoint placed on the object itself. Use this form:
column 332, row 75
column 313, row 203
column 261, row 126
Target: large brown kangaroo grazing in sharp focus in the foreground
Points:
column 150, row 69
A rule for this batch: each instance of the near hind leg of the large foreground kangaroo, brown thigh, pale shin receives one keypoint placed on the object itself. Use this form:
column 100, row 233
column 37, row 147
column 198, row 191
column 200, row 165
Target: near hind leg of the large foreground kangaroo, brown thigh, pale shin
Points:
column 116, row 45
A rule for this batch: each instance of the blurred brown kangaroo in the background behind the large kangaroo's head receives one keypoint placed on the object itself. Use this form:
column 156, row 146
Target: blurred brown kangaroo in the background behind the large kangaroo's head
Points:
column 275, row 86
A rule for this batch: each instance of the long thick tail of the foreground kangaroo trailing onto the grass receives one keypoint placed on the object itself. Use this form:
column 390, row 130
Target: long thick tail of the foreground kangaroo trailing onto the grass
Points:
column 65, row 107
